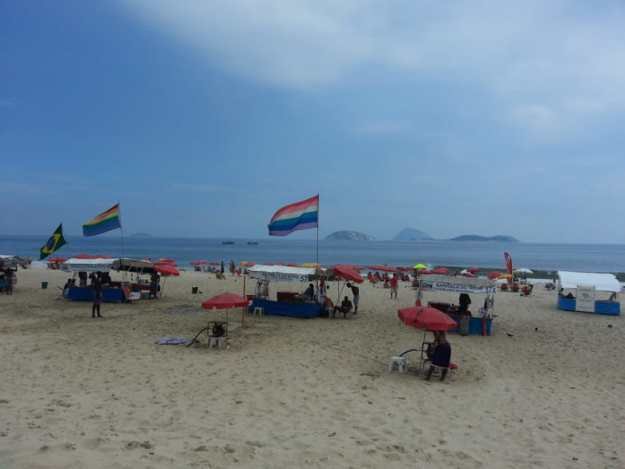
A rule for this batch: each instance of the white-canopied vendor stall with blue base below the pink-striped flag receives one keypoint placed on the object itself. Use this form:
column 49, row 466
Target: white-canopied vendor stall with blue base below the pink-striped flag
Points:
column 287, row 303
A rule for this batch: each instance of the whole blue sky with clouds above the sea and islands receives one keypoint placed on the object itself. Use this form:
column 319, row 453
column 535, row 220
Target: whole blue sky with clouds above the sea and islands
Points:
column 202, row 118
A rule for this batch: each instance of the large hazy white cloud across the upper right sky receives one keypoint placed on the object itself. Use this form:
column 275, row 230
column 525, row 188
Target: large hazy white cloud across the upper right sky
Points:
column 541, row 60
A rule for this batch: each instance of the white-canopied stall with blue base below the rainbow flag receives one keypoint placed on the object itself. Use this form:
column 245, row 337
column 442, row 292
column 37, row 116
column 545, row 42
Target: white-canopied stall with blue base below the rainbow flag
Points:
column 78, row 289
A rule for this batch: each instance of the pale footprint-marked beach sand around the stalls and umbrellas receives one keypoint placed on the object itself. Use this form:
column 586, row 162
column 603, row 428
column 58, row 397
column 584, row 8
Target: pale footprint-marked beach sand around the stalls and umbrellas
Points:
column 545, row 390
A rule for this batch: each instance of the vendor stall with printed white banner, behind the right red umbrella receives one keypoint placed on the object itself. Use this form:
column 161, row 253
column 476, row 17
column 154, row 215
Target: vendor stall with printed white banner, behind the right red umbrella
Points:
column 476, row 322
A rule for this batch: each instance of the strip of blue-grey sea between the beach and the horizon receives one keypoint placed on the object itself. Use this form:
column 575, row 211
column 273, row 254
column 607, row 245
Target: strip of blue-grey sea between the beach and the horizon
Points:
column 577, row 257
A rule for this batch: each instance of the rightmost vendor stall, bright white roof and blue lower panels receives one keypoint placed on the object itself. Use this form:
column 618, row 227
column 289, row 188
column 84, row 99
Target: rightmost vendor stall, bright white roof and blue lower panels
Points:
column 588, row 292
